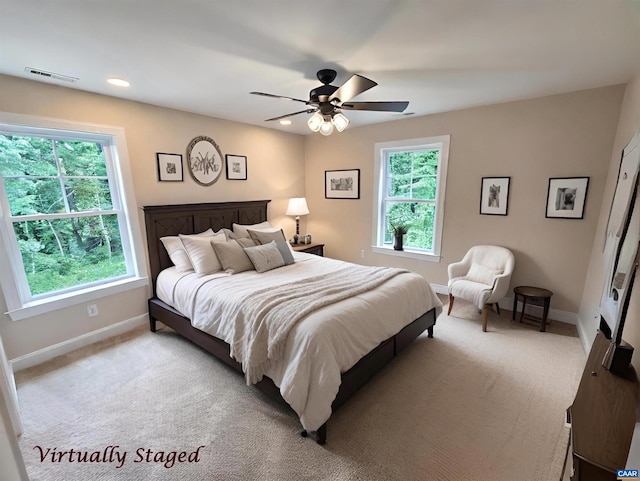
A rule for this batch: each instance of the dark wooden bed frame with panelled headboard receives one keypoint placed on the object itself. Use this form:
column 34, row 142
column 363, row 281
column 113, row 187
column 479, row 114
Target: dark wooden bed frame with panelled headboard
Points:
column 171, row 220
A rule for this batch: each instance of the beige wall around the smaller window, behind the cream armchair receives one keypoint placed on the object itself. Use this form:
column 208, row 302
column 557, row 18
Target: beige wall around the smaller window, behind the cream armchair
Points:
column 530, row 141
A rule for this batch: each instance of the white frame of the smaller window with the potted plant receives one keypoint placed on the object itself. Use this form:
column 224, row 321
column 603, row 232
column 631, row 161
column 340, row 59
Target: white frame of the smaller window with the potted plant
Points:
column 382, row 149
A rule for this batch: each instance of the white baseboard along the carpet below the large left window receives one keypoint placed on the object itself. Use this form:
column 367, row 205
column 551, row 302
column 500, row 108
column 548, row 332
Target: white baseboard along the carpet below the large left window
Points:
column 43, row 355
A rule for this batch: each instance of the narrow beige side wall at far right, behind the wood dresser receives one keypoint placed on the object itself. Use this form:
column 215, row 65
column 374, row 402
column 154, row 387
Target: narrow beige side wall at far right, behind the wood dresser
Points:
column 628, row 124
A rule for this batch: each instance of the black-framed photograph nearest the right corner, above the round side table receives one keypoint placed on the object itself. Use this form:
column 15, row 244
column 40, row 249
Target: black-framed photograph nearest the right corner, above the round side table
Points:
column 566, row 196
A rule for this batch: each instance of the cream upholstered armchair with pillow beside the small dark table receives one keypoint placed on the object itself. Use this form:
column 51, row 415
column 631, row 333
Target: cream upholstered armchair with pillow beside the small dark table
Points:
column 482, row 277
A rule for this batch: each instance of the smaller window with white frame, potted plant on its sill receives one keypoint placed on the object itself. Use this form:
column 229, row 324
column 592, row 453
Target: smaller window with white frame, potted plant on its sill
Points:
column 410, row 179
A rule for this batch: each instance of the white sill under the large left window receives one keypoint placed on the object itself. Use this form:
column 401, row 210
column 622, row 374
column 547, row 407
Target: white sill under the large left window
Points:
column 44, row 306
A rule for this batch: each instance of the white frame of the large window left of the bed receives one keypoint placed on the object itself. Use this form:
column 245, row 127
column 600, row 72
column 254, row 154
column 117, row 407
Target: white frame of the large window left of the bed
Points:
column 13, row 280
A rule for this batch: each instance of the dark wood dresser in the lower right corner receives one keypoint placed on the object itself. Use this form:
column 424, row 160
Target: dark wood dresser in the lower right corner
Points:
column 602, row 419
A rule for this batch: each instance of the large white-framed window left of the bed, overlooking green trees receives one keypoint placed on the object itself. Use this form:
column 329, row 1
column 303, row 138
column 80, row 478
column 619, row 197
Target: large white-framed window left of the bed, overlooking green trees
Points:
column 63, row 215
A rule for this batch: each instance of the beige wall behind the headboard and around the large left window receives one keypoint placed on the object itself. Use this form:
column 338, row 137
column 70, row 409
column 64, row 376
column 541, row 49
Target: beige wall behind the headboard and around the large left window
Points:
column 275, row 171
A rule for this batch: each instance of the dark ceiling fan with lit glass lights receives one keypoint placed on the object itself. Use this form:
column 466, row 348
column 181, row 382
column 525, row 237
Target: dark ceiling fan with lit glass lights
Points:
column 327, row 101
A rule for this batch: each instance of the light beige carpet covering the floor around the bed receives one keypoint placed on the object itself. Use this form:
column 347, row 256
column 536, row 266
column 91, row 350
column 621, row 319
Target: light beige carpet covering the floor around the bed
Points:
column 465, row 405
